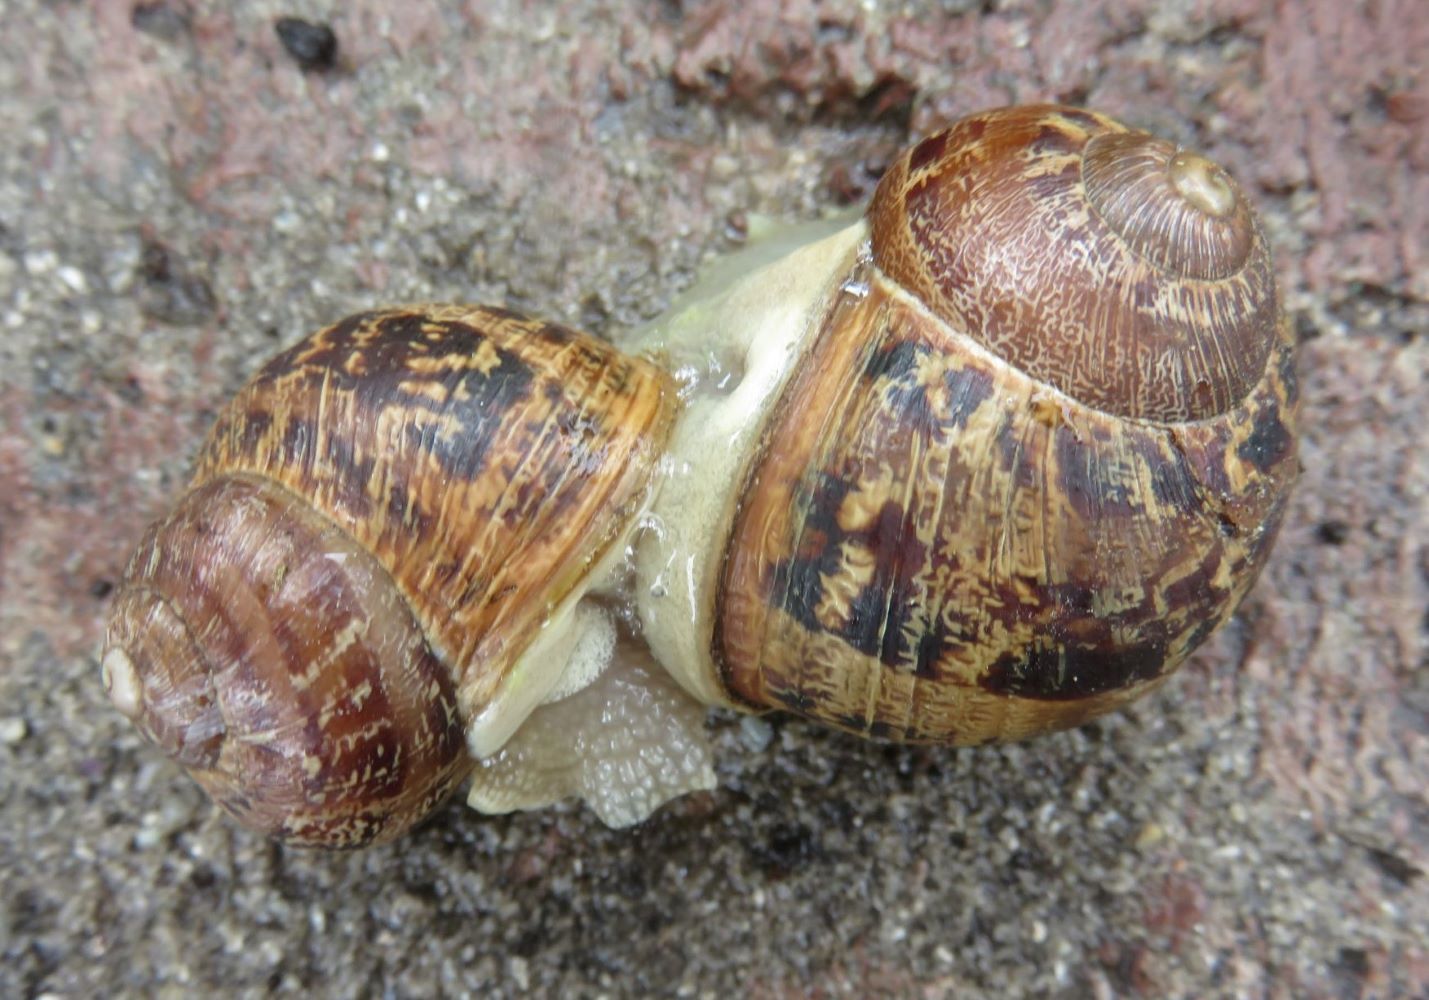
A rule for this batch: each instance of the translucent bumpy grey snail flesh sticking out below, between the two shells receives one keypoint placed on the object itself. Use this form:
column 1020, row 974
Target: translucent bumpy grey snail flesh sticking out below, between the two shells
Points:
column 625, row 745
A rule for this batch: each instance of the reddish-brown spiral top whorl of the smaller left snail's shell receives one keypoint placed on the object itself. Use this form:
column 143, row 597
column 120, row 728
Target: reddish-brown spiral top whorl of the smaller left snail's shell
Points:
column 262, row 649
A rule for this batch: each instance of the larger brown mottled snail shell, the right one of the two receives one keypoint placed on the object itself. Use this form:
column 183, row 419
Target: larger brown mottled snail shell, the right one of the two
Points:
column 1044, row 452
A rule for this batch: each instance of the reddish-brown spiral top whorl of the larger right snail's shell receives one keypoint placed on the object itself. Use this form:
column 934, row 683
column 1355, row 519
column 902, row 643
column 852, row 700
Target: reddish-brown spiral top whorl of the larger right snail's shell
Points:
column 1104, row 262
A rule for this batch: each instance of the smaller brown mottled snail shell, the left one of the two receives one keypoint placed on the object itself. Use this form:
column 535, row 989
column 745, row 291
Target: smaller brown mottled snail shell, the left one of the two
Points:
column 378, row 525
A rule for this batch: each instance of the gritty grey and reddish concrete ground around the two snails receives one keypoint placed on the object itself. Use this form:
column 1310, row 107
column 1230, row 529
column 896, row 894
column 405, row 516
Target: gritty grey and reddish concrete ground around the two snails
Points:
column 178, row 199
